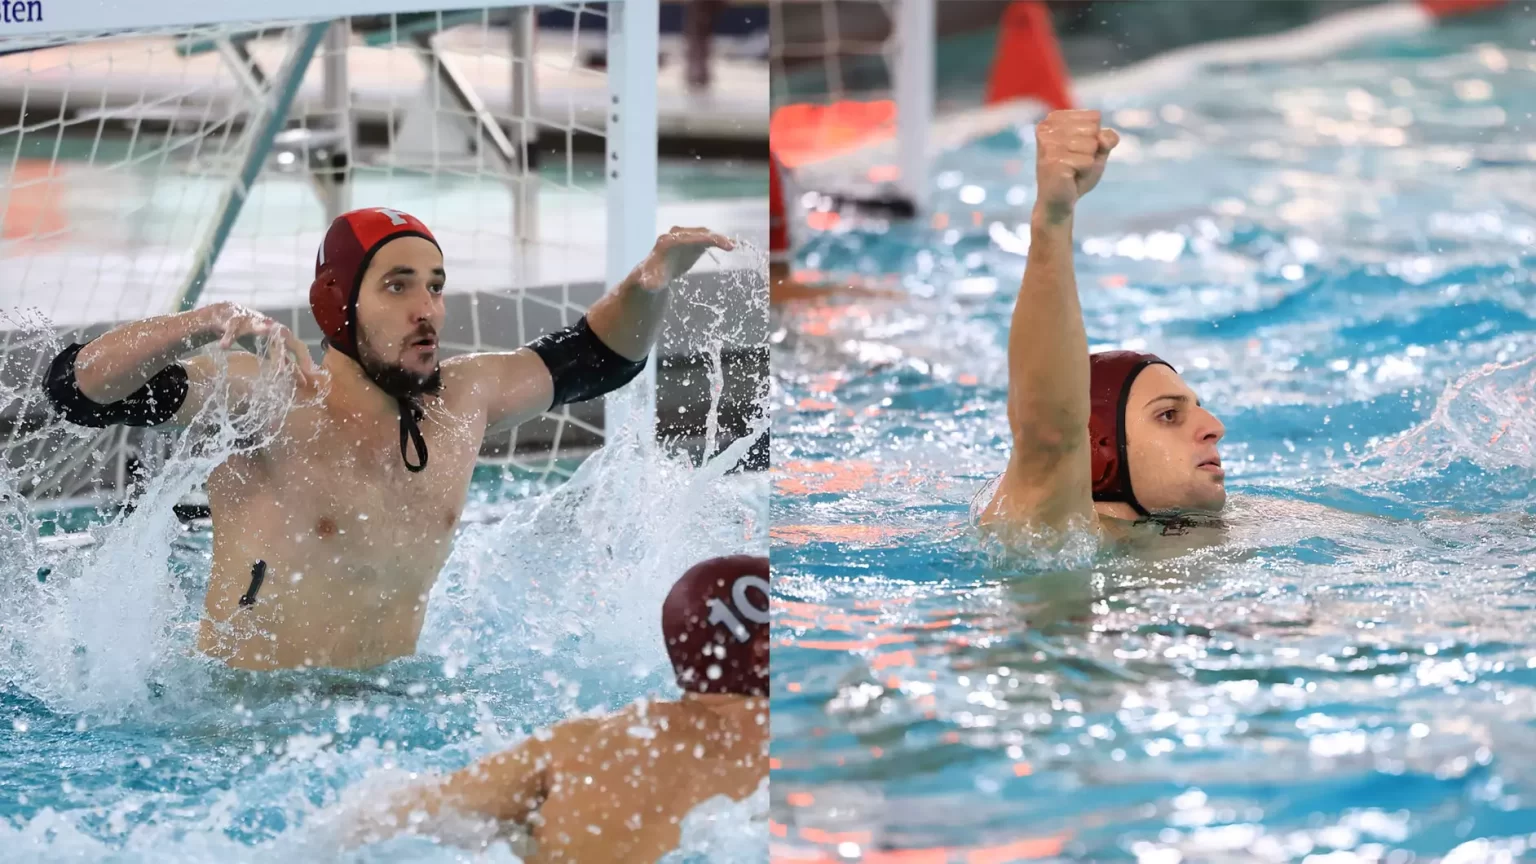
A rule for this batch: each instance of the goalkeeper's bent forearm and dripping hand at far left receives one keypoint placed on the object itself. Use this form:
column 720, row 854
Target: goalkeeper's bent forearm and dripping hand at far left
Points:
column 124, row 361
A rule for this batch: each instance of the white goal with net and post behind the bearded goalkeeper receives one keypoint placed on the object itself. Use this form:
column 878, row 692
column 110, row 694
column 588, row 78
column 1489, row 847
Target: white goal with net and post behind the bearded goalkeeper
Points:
column 154, row 167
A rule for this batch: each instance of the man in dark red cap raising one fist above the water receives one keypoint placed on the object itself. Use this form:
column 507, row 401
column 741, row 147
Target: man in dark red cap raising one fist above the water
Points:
column 1150, row 447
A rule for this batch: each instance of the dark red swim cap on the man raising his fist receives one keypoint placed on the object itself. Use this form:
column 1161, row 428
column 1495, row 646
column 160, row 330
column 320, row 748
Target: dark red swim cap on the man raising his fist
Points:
column 1111, row 374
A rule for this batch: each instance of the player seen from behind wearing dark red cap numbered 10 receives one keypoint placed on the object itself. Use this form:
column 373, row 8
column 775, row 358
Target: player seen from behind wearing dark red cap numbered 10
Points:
column 618, row 788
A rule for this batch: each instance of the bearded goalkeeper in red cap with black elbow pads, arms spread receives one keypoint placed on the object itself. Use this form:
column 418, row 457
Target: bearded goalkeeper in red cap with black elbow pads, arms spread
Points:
column 329, row 537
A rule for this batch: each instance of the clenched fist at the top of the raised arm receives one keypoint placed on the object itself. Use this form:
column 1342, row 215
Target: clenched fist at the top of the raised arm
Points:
column 1070, row 159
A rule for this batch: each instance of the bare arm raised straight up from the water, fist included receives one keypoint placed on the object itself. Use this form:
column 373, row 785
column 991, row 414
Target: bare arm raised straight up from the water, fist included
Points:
column 1048, row 477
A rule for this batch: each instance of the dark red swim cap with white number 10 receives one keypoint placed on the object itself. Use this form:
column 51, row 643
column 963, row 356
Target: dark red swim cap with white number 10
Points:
column 715, row 622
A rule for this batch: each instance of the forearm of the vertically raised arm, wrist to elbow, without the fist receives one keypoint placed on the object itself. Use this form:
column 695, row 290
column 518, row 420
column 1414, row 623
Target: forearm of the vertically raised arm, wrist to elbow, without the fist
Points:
column 1048, row 368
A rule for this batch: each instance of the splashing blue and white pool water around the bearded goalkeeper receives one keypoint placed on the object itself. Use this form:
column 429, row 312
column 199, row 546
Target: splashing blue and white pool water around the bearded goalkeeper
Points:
column 119, row 743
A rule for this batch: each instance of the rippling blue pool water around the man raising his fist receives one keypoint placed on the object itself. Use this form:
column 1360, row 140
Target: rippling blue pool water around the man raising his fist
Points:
column 1339, row 256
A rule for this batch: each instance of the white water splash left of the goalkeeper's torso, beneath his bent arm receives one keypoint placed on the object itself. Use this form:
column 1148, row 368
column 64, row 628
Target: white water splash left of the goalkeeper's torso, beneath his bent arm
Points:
column 91, row 628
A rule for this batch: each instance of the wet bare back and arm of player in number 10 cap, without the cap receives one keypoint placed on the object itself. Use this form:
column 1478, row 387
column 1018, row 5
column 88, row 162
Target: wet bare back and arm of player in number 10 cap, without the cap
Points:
column 604, row 789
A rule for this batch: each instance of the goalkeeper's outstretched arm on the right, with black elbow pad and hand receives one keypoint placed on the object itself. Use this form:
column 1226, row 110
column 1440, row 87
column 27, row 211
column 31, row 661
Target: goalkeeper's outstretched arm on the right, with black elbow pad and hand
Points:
column 595, row 357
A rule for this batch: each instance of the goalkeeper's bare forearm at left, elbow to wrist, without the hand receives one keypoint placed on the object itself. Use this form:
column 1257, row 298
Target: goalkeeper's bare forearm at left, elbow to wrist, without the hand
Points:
column 124, row 359
